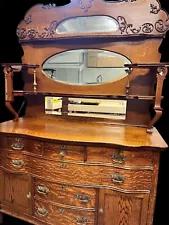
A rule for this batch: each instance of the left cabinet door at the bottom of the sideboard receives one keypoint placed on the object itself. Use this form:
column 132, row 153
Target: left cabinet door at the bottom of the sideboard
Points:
column 16, row 192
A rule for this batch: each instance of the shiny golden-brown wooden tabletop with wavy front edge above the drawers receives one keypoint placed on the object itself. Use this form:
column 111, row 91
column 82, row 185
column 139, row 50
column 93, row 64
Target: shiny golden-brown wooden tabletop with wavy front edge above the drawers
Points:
column 82, row 130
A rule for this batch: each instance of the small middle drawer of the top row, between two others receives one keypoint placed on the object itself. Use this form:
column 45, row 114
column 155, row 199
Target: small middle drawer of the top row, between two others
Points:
column 64, row 152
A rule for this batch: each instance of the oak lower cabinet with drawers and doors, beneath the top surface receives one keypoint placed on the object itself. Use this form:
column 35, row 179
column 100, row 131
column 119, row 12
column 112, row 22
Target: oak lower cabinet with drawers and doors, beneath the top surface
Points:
column 76, row 184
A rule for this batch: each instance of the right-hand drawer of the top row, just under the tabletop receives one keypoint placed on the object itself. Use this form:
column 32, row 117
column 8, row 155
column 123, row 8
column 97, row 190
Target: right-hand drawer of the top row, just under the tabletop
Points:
column 119, row 157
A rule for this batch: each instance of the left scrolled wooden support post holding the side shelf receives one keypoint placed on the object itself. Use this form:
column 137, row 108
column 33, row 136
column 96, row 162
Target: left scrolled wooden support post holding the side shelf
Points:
column 9, row 97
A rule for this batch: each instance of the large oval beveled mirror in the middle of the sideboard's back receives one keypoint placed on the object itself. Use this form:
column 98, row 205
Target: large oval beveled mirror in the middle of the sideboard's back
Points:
column 86, row 67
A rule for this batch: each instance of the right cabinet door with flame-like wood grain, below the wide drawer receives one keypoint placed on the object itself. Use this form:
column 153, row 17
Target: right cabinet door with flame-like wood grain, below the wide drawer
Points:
column 116, row 208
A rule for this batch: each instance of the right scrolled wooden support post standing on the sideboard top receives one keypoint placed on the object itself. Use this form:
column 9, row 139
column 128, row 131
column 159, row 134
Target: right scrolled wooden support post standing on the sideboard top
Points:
column 161, row 74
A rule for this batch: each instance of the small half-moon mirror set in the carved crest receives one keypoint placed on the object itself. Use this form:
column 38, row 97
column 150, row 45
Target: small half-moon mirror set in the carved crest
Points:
column 87, row 24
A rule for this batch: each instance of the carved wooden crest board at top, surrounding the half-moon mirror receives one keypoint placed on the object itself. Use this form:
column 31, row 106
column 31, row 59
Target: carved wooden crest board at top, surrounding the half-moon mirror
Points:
column 29, row 29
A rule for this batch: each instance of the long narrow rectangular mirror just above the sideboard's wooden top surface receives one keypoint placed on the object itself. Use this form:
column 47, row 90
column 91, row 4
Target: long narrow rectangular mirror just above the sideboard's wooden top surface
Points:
column 97, row 108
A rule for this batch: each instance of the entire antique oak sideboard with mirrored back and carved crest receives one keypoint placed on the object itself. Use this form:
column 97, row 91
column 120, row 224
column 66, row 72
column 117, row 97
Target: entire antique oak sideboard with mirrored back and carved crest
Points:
column 94, row 65
